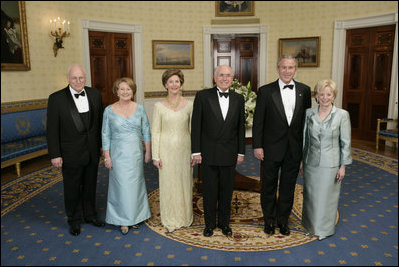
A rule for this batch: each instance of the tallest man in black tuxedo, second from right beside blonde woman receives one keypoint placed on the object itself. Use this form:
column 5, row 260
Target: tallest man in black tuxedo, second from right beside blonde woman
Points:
column 277, row 141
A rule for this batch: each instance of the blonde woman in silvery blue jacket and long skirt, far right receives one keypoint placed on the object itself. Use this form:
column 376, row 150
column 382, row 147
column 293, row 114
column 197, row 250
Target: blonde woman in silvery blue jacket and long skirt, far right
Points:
column 327, row 149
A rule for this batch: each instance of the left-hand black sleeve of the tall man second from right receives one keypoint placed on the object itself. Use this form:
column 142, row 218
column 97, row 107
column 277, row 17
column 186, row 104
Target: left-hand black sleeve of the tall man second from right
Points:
column 257, row 129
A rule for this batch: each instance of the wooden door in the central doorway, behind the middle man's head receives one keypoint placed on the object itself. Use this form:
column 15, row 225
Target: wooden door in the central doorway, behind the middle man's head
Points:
column 241, row 54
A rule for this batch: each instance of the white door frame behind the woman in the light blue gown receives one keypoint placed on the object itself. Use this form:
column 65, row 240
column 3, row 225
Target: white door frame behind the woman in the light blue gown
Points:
column 137, row 51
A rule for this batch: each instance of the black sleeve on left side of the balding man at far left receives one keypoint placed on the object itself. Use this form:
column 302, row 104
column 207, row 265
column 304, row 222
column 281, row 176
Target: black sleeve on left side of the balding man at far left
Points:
column 53, row 127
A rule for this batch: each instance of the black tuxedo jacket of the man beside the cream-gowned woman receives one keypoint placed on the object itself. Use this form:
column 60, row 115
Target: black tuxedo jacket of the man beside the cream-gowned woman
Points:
column 219, row 141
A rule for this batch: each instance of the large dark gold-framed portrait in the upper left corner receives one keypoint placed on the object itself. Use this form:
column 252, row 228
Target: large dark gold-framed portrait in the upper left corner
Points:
column 14, row 37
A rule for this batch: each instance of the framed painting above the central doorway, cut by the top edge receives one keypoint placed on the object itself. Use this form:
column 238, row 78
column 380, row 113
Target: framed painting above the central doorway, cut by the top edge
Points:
column 234, row 8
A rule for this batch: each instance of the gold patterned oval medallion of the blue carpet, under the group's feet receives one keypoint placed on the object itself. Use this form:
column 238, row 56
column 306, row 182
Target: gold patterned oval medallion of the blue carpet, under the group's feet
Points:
column 246, row 222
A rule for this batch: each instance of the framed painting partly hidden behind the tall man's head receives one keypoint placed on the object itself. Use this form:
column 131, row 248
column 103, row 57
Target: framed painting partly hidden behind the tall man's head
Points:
column 306, row 50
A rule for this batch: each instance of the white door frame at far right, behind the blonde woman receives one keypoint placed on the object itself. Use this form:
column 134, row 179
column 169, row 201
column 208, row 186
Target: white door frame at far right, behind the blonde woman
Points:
column 338, row 66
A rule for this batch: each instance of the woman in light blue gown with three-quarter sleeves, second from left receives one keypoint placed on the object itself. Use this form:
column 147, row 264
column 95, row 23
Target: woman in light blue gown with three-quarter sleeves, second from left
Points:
column 124, row 124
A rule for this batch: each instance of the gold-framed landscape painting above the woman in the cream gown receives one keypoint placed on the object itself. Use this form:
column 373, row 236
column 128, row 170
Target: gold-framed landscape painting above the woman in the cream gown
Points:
column 172, row 54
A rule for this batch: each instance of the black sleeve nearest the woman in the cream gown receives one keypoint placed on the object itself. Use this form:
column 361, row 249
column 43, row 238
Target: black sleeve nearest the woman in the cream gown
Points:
column 196, row 120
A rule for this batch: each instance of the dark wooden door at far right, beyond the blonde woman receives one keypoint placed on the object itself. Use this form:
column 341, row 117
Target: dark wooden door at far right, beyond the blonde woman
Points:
column 367, row 78
